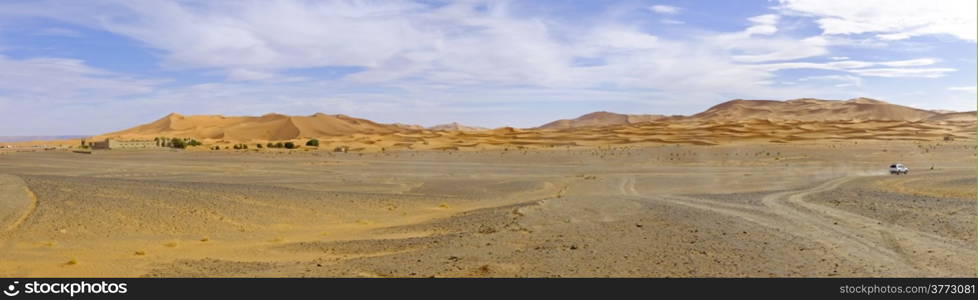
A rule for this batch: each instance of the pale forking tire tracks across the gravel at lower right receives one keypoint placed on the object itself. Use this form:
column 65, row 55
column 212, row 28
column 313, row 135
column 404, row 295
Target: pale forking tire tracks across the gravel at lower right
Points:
column 882, row 248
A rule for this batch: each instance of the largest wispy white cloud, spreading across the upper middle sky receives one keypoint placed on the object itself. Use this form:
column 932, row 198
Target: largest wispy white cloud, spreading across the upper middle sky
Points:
column 461, row 43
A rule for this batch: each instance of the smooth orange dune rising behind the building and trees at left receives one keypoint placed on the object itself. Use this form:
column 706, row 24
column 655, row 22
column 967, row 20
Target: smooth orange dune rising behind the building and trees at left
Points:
column 268, row 127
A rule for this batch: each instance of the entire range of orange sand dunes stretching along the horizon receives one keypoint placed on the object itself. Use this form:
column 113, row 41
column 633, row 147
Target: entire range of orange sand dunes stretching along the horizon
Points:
column 732, row 121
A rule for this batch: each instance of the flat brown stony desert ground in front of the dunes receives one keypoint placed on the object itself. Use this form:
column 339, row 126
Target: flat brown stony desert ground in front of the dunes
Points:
column 802, row 208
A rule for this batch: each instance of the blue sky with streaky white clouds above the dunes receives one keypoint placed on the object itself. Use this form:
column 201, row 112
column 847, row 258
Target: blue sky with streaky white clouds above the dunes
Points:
column 89, row 67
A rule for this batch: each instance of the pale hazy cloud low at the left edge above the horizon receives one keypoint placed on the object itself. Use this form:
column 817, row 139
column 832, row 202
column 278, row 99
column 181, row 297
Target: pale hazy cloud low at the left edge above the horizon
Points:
column 52, row 96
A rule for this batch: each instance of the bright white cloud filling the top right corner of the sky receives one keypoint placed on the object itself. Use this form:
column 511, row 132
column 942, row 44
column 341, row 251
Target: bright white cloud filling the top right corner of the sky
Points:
column 889, row 19
